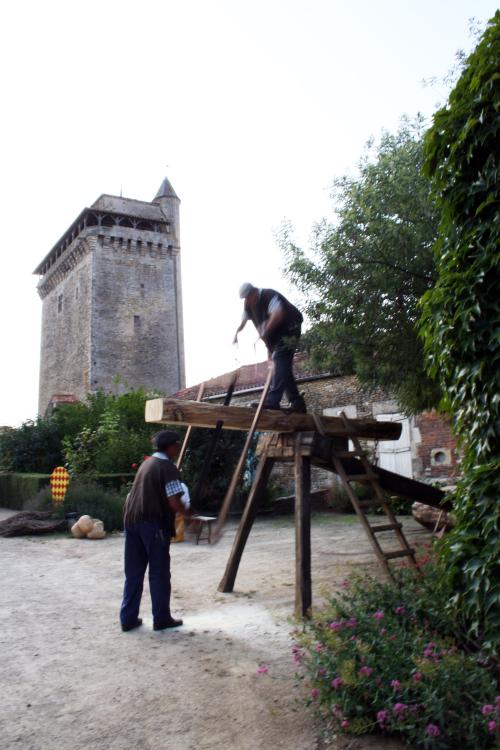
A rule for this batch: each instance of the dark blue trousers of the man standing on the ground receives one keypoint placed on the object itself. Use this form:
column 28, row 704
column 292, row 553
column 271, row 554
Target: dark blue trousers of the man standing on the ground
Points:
column 146, row 543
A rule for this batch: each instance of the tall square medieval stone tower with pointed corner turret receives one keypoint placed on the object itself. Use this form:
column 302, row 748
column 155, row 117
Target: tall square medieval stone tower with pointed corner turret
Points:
column 112, row 303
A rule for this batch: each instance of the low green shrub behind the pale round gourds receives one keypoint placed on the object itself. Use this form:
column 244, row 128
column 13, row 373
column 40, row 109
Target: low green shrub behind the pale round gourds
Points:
column 85, row 499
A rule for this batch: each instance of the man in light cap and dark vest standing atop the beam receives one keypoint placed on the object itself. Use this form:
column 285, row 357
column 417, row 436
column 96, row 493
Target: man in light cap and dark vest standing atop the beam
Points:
column 278, row 323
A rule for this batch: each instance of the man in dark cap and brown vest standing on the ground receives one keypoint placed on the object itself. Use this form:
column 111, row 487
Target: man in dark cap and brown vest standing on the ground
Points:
column 149, row 521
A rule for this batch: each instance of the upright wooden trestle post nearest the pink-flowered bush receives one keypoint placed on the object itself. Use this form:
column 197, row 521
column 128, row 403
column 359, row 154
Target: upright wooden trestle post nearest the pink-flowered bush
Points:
column 303, row 590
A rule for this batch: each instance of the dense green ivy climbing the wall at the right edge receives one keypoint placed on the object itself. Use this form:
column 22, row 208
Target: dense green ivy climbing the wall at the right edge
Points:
column 461, row 323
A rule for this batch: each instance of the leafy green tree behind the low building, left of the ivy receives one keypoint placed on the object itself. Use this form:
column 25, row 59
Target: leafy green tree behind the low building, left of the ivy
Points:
column 369, row 269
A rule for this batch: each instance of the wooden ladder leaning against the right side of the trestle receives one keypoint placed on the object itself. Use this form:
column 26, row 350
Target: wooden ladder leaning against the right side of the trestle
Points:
column 378, row 500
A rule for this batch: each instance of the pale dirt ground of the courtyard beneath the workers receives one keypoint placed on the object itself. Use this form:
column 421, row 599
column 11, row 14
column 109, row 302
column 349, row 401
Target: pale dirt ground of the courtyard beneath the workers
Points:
column 70, row 679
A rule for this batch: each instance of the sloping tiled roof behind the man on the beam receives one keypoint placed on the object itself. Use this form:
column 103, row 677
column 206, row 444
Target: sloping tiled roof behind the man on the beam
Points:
column 249, row 377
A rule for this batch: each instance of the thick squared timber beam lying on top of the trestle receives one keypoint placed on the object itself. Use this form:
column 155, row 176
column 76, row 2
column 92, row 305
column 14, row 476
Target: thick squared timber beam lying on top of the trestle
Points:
column 178, row 411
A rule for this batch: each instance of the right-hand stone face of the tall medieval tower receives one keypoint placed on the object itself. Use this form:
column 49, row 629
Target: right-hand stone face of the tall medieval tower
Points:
column 136, row 332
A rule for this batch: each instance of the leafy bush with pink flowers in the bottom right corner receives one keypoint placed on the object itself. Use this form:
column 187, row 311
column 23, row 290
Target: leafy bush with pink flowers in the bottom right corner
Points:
column 380, row 659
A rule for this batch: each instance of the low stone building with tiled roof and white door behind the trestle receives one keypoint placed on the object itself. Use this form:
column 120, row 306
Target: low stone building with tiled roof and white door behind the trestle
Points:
column 426, row 450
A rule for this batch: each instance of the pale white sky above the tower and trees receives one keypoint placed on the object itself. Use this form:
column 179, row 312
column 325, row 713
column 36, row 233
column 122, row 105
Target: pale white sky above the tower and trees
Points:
column 250, row 108
